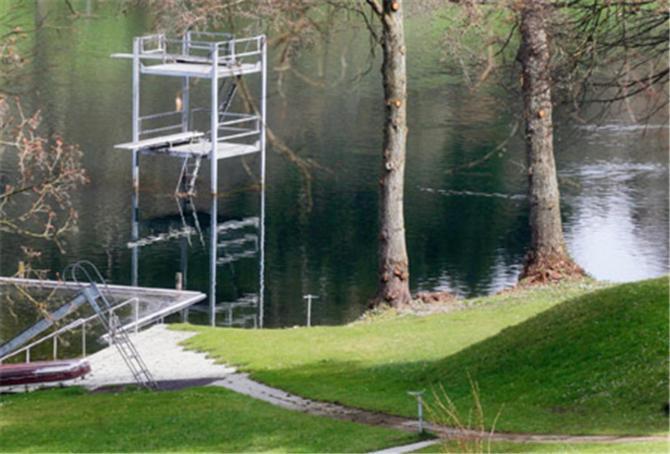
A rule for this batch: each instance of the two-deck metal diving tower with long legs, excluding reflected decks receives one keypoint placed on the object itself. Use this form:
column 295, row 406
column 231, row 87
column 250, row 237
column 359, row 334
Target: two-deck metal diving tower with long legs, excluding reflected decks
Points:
column 223, row 60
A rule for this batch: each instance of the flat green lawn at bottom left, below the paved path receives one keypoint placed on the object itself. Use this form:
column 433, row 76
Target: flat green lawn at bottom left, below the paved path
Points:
column 196, row 419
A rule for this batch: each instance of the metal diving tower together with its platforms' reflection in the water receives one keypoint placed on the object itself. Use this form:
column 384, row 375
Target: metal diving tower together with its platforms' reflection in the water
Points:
column 208, row 123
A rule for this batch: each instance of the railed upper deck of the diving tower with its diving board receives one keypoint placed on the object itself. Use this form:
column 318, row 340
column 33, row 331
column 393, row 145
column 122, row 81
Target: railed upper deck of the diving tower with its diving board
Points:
column 196, row 54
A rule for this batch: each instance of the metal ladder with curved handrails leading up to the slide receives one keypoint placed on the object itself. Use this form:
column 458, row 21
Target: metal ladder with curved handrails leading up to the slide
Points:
column 118, row 337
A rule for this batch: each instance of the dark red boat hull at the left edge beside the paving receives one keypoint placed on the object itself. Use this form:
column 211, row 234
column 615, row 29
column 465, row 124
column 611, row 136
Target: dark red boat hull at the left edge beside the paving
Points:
column 42, row 372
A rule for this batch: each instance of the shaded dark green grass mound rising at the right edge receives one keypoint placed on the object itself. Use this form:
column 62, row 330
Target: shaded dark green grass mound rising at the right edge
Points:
column 595, row 363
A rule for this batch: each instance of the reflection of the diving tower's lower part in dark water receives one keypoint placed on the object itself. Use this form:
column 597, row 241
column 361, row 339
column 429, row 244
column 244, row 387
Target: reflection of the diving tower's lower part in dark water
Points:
column 226, row 242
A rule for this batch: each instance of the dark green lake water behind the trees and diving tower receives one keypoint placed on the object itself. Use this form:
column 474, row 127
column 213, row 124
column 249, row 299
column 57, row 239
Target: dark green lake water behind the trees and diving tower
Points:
column 466, row 229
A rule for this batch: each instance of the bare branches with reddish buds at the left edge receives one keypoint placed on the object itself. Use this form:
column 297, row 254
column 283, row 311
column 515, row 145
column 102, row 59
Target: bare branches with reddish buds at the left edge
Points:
column 36, row 196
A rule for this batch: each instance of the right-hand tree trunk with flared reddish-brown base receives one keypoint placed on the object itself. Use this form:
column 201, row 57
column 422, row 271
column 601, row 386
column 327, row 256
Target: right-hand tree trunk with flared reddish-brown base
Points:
column 548, row 258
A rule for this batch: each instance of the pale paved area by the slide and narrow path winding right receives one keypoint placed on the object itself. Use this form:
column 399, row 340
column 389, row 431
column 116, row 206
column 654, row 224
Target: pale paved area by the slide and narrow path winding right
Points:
column 169, row 362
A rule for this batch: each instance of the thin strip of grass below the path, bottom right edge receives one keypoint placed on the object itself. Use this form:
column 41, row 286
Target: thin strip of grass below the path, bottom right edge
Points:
column 590, row 448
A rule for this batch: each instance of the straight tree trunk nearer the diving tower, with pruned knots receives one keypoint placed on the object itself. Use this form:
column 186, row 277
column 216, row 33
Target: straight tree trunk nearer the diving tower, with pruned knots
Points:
column 393, row 264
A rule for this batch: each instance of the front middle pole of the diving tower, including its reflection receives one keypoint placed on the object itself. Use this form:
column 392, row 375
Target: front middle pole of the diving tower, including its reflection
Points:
column 213, row 164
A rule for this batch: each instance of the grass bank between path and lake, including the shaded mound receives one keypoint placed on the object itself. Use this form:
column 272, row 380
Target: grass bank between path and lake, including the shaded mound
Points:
column 562, row 359
